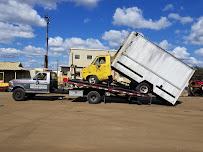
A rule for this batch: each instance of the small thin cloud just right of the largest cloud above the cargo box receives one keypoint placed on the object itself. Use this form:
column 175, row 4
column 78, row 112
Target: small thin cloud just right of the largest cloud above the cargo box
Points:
column 181, row 19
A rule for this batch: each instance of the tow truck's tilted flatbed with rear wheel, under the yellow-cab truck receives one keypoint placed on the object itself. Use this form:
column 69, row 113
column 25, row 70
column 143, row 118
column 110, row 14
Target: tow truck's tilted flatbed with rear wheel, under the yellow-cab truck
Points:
column 96, row 92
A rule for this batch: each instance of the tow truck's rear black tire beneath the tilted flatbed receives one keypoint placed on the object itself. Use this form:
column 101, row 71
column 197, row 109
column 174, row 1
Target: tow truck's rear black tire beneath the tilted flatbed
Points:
column 94, row 97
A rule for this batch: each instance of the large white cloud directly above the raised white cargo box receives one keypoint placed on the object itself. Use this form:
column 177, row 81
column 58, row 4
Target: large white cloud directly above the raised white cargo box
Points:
column 133, row 17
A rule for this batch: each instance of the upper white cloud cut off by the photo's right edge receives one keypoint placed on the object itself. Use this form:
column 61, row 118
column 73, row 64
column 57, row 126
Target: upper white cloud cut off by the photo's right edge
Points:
column 196, row 33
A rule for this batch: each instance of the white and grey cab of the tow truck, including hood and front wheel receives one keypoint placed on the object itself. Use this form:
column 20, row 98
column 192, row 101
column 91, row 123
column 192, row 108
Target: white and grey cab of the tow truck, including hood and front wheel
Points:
column 43, row 82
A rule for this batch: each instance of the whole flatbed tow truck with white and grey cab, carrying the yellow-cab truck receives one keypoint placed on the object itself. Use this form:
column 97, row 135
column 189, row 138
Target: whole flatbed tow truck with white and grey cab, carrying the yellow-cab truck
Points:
column 46, row 83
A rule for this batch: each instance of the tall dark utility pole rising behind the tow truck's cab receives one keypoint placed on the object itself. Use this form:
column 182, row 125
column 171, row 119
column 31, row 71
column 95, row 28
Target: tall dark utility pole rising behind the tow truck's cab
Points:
column 47, row 19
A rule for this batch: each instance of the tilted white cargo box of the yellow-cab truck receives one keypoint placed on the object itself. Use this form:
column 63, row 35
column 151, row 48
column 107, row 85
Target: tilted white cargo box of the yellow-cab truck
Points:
column 143, row 61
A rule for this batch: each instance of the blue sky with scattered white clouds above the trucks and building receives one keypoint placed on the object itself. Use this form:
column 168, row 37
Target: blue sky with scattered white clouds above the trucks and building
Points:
column 175, row 25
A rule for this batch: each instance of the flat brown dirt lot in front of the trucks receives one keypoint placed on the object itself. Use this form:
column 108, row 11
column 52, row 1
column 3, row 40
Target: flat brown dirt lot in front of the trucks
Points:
column 62, row 126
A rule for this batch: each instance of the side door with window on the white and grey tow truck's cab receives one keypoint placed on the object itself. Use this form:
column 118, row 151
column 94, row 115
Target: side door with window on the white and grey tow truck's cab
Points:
column 40, row 83
